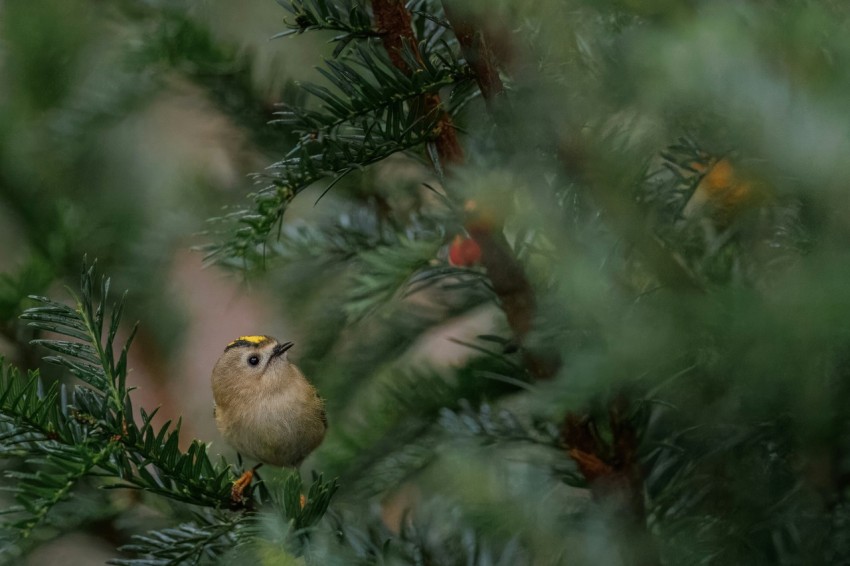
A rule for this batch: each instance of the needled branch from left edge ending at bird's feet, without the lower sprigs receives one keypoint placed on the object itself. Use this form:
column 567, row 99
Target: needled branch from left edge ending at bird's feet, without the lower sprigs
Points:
column 85, row 431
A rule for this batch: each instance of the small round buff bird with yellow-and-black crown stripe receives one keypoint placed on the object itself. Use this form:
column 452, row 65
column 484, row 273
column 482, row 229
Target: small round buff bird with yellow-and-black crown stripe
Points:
column 264, row 406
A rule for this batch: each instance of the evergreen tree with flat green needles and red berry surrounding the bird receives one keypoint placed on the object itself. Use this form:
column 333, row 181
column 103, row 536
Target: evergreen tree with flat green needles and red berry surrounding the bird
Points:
column 642, row 200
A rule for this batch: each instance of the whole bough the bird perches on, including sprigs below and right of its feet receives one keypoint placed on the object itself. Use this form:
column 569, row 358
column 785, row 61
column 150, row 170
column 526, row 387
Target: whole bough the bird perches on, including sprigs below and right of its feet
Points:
column 67, row 434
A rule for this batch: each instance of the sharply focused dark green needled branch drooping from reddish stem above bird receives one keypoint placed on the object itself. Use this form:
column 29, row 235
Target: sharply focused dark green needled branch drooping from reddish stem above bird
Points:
column 383, row 104
